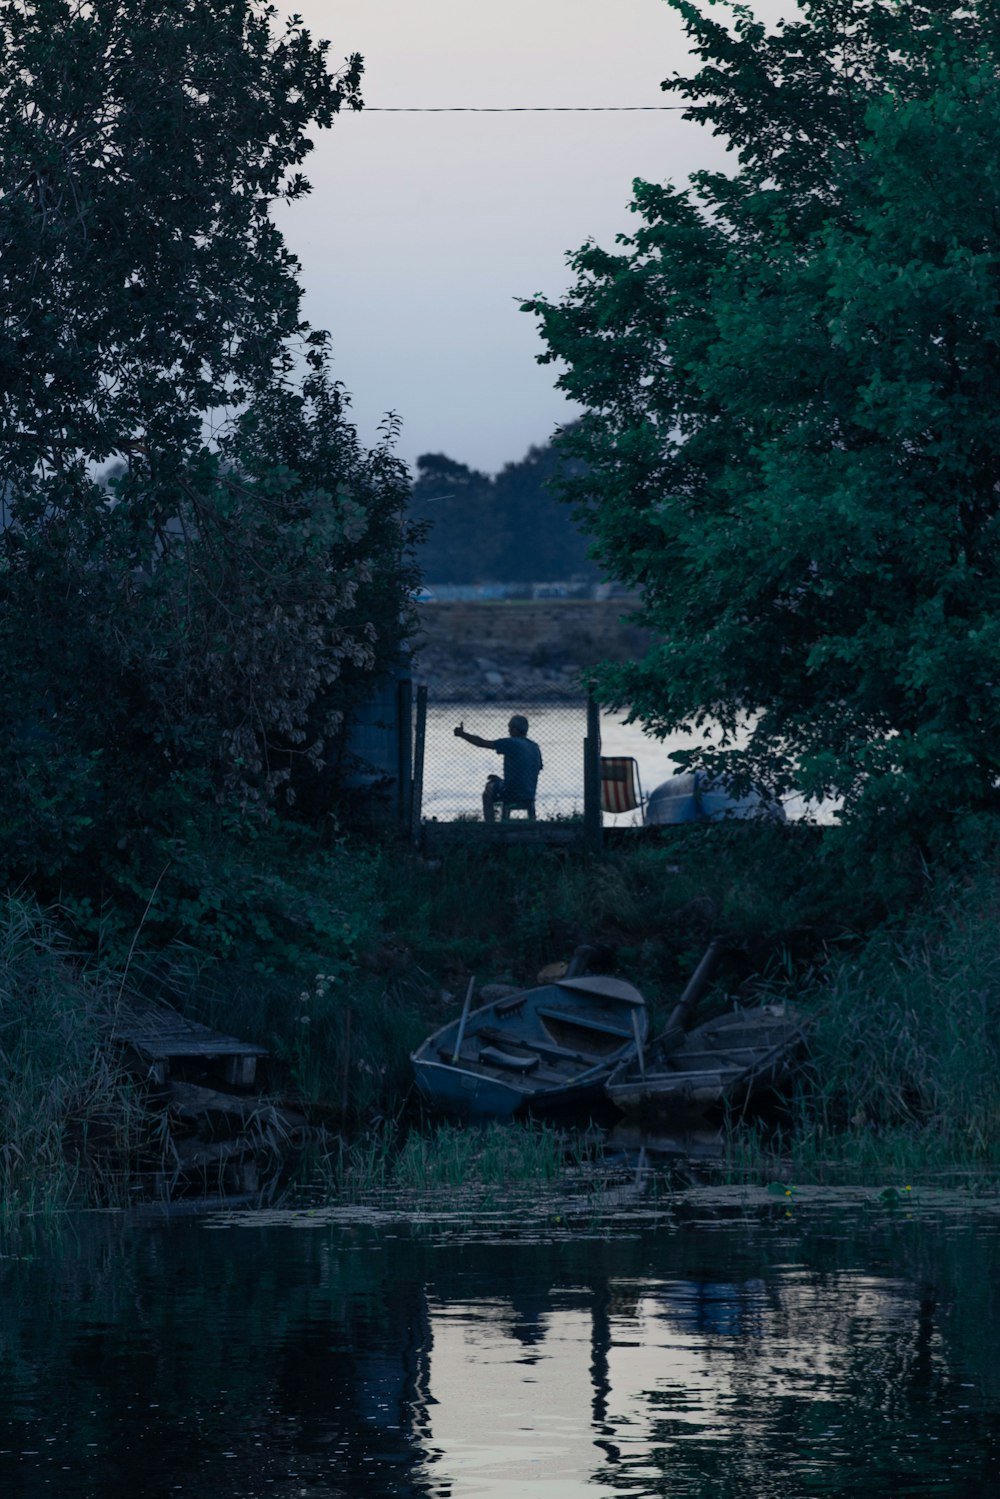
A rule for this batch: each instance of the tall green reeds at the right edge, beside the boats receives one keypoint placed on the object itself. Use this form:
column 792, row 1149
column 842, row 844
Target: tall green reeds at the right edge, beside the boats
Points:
column 905, row 1073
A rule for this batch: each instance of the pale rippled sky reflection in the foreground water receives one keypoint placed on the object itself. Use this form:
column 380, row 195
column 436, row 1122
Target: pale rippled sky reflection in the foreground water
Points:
column 630, row 1395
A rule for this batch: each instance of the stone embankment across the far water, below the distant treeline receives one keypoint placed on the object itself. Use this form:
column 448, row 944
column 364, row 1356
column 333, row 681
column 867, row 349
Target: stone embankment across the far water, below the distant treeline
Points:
column 478, row 651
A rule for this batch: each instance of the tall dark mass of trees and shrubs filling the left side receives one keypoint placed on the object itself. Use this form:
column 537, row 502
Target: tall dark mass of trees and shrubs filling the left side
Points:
column 203, row 573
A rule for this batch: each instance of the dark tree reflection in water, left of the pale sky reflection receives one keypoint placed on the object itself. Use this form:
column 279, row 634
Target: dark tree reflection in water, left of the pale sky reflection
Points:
column 218, row 1363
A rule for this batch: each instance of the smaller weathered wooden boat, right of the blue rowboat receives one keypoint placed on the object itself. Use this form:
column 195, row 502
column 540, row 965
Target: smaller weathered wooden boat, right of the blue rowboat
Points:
column 723, row 1064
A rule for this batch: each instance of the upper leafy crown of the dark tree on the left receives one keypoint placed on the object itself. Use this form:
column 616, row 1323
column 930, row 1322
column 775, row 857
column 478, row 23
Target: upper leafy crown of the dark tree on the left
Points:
column 145, row 283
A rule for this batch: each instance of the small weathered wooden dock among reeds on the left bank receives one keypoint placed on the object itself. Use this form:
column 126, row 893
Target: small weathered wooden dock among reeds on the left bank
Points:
column 160, row 1041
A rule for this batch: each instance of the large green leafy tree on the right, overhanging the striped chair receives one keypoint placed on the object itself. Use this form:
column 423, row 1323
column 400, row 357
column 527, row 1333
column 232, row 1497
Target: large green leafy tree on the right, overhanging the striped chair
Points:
column 792, row 428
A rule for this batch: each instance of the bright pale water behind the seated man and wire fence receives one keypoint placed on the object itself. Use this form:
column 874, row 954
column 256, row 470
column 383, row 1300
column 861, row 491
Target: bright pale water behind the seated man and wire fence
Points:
column 455, row 773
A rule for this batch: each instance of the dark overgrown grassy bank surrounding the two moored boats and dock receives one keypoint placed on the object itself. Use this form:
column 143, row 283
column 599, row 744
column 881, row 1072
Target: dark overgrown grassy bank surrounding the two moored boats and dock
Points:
column 341, row 984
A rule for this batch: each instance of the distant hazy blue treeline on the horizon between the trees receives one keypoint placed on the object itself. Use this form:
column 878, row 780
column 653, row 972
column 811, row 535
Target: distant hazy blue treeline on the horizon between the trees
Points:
column 504, row 528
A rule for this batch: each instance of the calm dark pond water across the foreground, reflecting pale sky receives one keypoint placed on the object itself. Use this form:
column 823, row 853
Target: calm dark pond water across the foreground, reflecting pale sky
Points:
column 713, row 1347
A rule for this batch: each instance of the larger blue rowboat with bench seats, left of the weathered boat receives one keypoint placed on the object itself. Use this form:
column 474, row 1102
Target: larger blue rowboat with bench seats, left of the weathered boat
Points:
column 534, row 1050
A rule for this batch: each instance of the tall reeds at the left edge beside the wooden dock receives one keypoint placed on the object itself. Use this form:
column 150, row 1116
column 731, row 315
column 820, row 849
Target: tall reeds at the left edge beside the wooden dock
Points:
column 70, row 1119
